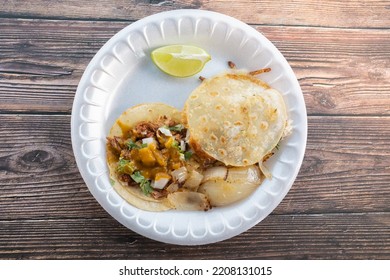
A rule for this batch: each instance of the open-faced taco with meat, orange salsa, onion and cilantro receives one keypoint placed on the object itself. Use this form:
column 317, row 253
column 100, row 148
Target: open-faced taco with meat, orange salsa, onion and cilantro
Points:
column 146, row 156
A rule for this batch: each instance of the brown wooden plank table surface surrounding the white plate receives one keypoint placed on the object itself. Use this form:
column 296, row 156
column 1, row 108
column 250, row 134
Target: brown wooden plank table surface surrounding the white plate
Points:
column 339, row 206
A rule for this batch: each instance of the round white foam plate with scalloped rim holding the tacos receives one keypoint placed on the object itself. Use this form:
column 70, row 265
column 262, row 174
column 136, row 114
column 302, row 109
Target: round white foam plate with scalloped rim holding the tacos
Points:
column 122, row 75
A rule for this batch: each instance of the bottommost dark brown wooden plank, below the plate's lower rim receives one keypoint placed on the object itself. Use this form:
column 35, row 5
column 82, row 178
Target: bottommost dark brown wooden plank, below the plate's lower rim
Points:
column 347, row 236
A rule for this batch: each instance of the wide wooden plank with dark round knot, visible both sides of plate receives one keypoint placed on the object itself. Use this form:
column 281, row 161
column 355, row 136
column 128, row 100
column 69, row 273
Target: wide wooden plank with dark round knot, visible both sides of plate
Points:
column 346, row 169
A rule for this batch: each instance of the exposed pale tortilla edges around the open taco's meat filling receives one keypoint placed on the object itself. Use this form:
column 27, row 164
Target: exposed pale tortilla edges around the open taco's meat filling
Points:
column 126, row 121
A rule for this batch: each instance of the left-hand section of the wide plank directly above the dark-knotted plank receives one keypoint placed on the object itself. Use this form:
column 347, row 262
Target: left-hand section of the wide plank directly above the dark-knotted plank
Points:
column 41, row 62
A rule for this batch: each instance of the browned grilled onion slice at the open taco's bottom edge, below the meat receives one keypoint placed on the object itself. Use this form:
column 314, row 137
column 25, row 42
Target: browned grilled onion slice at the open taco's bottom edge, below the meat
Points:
column 187, row 200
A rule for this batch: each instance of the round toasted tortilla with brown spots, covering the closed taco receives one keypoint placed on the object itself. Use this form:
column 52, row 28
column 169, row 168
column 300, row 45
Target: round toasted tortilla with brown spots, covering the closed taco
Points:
column 235, row 118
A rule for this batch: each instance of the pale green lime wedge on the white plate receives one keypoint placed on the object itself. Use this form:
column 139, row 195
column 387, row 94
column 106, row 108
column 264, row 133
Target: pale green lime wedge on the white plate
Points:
column 180, row 60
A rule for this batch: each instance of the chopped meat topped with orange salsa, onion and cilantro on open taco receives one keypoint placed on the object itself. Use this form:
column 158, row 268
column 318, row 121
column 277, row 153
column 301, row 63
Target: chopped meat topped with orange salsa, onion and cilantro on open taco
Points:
column 148, row 153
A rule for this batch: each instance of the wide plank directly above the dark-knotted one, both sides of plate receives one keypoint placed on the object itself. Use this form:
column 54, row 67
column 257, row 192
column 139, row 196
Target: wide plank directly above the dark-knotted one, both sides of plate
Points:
column 340, row 71
